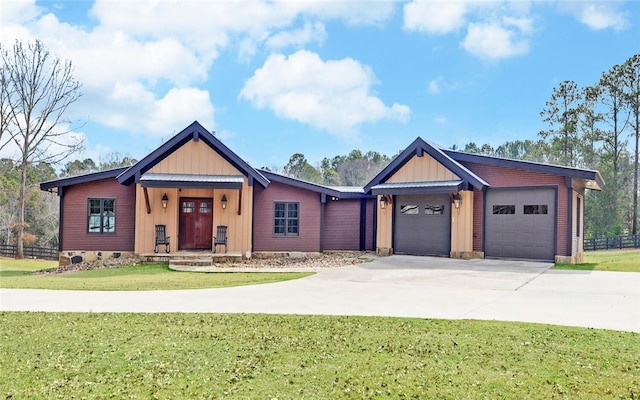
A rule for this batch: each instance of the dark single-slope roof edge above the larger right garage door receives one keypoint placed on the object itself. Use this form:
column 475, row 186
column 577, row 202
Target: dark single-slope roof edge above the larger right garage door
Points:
column 592, row 179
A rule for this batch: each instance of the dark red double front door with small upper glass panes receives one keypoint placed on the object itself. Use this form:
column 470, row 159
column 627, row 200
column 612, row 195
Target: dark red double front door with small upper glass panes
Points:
column 196, row 224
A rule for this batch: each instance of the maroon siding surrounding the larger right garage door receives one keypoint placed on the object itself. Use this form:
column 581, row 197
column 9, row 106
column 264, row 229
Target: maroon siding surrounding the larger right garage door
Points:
column 514, row 178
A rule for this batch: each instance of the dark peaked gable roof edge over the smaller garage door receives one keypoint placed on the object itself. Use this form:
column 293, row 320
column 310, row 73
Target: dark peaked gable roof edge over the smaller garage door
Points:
column 419, row 146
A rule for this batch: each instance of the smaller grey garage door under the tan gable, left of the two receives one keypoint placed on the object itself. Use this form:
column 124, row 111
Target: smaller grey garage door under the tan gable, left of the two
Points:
column 422, row 225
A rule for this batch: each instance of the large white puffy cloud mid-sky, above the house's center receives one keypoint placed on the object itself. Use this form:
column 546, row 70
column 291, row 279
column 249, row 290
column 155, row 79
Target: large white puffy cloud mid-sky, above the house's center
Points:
column 332, row 95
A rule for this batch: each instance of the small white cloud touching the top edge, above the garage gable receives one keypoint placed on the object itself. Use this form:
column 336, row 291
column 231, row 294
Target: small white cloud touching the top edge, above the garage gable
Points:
column 434, row 16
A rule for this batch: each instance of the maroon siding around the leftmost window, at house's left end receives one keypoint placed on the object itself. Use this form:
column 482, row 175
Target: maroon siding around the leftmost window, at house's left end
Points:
column 74, row 218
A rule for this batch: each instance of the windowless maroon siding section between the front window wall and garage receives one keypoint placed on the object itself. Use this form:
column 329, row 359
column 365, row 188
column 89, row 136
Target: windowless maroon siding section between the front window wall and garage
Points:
column 342, row 225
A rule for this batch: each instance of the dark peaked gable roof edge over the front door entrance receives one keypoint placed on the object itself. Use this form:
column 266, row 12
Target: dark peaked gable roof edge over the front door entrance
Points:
column 194, row 132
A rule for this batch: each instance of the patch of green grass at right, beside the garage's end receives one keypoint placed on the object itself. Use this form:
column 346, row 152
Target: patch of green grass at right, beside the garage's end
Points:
column 607, row 260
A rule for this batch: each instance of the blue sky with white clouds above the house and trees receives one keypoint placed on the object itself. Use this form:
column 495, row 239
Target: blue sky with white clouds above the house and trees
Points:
column 274, row 78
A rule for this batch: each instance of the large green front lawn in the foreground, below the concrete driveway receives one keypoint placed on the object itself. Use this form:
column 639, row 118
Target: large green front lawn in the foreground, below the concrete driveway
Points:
column 124, row 356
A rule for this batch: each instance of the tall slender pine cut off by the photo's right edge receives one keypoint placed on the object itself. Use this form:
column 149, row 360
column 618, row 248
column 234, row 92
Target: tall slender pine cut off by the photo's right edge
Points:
column 631, row 89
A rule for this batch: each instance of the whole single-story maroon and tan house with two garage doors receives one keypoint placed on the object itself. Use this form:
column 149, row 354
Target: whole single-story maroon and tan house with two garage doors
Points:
column 428, row 201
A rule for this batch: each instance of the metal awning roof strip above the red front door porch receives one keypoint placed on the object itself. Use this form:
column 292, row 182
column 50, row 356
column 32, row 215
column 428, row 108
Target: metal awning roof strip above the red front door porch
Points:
column 192, row 181
